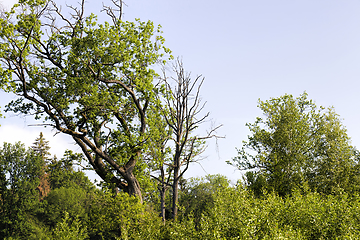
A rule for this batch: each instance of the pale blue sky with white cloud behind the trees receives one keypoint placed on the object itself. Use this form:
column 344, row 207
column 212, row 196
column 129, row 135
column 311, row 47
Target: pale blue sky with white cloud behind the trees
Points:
column 246, row 50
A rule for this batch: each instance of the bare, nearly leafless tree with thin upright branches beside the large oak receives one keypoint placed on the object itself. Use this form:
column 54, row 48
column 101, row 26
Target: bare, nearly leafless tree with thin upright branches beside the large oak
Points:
column 182, row 113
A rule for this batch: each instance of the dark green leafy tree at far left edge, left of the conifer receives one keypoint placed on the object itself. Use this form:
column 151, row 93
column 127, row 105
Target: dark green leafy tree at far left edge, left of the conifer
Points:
column 19, row 178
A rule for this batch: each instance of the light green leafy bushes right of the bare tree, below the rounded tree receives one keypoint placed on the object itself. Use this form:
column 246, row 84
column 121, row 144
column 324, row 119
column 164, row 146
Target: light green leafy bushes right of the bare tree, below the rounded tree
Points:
column 237, row 214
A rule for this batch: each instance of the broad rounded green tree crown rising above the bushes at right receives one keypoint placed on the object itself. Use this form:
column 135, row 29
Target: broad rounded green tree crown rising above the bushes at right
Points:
column 296, row 143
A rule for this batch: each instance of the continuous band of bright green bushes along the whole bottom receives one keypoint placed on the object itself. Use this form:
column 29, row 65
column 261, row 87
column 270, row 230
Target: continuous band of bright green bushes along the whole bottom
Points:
column 230, row 213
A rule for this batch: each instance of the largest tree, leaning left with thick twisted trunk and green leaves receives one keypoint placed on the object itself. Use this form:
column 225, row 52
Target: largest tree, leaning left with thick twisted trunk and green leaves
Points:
column 92, row 81
